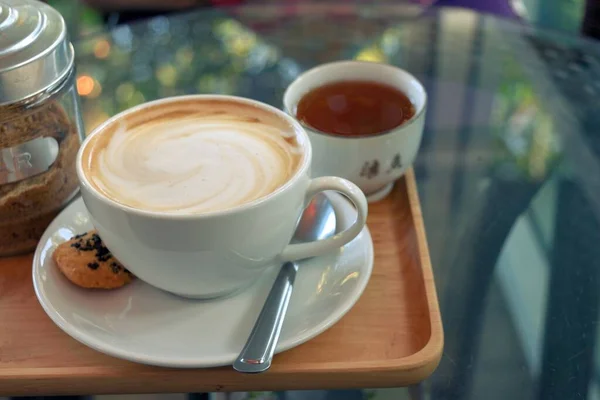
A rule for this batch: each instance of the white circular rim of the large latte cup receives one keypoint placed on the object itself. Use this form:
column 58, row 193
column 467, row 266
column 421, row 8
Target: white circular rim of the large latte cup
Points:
column 301, row 134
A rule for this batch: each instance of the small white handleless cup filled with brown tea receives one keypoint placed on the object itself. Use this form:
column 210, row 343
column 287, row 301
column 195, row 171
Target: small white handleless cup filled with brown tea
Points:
column 364, row 119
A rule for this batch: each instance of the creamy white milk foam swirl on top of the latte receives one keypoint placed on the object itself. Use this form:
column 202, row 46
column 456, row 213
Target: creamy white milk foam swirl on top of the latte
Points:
column 194, row 164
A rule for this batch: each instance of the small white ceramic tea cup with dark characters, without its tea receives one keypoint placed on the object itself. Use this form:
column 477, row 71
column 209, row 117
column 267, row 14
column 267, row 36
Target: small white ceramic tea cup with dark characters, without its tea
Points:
column 375, row 161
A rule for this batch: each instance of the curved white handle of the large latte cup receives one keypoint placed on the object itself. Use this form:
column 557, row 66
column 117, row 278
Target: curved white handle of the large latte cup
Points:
column 312, row 249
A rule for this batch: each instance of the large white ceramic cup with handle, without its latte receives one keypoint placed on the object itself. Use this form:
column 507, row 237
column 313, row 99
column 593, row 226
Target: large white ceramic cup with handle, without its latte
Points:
column 206, row 255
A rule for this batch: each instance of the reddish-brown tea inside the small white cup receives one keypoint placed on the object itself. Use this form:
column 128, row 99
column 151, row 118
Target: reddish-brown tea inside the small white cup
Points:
column 354, row 108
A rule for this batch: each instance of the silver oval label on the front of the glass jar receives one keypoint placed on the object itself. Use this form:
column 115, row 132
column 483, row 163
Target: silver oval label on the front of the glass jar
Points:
column 27, row 159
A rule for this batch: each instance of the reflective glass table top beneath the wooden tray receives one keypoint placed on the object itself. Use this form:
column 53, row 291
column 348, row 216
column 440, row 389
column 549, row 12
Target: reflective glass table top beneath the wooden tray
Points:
column 508, row 171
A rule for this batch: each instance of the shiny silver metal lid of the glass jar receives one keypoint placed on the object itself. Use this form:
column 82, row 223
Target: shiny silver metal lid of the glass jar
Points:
column 35, row 54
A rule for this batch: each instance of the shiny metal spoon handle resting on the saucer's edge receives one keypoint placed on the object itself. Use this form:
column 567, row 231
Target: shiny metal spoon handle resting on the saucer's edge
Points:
column 257, row 354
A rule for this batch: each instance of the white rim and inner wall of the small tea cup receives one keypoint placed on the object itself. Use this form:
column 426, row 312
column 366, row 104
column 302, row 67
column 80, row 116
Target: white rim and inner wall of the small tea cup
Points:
column 320, row 69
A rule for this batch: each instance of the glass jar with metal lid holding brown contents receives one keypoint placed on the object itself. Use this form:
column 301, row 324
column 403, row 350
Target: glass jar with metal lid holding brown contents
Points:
column 40, row 122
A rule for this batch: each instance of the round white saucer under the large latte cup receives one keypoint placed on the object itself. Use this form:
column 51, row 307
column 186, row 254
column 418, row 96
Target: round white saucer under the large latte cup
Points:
column 143, row 324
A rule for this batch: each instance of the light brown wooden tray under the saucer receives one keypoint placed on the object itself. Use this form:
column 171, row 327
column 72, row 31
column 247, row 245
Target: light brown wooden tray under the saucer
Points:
column 392, row 337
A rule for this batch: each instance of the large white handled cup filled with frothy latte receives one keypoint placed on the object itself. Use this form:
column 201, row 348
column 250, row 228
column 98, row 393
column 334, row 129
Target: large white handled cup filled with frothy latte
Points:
column 198, row 195
